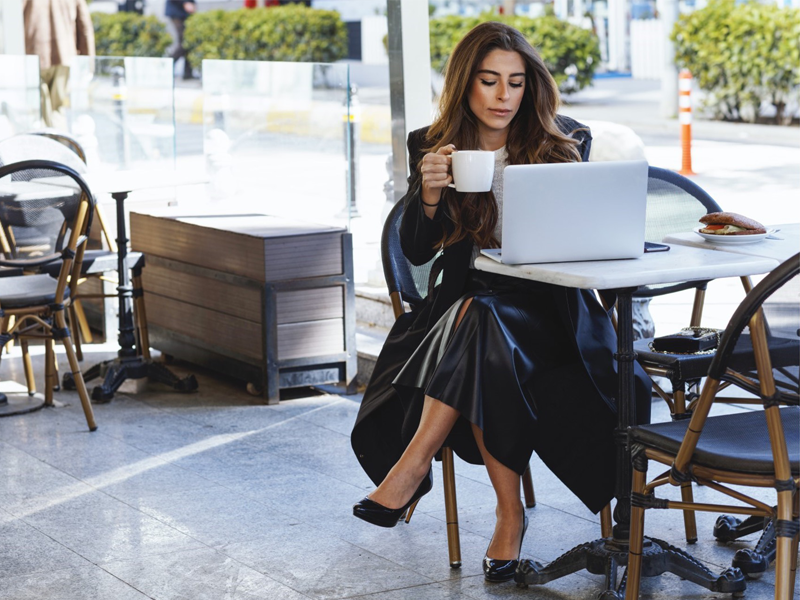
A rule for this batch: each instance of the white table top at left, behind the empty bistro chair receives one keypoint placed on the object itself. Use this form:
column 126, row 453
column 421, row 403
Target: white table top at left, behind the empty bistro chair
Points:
column 120, row 182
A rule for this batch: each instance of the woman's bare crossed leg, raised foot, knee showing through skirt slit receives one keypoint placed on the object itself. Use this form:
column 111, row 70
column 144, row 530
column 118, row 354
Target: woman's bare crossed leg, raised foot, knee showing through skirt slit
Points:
column 436, row 422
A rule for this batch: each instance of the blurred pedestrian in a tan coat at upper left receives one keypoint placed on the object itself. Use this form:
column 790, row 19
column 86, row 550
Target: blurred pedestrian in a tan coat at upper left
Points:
column 56, row 31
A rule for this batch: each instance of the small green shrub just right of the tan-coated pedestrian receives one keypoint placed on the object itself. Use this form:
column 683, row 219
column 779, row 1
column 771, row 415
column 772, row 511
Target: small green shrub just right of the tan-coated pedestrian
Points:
column 129, row 34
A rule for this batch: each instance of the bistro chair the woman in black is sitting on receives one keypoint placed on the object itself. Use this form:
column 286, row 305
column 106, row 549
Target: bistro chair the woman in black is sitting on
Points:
column 409, row 284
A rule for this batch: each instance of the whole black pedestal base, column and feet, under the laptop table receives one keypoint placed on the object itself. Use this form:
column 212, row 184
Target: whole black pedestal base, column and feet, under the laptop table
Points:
column 606, row 556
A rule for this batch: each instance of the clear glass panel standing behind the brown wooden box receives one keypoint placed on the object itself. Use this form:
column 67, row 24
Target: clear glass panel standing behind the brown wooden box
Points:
column 275, row 138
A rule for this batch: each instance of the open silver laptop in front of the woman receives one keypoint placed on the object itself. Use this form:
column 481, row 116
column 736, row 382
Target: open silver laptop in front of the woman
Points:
column 572, row 211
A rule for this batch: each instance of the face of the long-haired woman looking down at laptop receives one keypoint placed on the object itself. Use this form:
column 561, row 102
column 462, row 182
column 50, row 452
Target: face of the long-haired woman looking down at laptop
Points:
column 496, row 92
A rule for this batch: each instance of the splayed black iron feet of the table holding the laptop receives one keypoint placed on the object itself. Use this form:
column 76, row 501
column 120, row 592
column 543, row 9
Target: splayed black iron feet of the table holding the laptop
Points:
column 606, row 556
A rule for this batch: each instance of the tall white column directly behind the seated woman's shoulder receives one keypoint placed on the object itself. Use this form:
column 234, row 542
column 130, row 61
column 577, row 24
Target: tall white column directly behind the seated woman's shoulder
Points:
column 409, row 78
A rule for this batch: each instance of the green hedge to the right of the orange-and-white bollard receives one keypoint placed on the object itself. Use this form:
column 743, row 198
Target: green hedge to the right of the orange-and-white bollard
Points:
column 742, row 55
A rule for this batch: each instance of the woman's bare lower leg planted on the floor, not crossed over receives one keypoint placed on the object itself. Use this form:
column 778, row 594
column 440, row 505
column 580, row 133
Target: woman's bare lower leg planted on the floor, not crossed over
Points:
column 508, row 529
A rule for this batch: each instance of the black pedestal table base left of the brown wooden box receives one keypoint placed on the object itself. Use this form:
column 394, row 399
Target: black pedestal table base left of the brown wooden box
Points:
column 129, row 363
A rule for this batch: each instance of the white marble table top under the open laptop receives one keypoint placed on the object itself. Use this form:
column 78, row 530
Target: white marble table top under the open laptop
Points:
column 680, row 263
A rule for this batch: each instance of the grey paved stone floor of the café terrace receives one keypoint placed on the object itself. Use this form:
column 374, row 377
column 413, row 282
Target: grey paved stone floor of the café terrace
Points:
column 213, row 496
